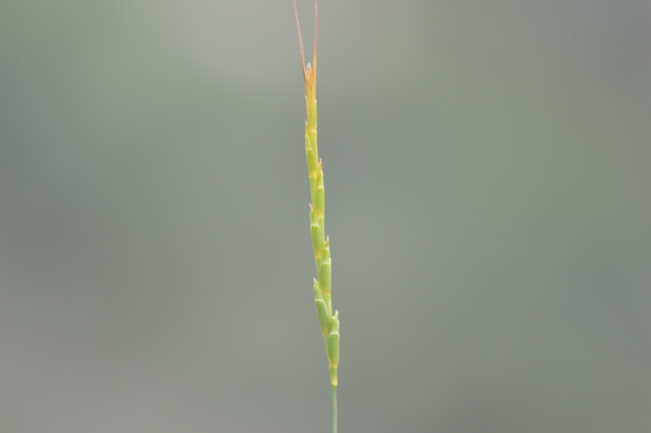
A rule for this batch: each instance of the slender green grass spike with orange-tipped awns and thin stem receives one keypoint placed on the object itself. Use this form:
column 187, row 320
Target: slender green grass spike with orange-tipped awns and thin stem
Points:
column 328, row 321
